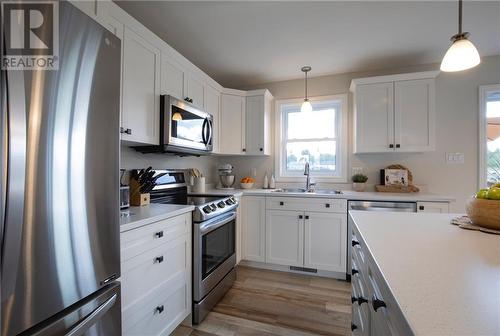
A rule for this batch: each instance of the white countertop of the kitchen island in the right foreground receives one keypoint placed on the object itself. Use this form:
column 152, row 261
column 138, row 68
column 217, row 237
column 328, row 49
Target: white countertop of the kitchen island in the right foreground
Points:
column 445, row 279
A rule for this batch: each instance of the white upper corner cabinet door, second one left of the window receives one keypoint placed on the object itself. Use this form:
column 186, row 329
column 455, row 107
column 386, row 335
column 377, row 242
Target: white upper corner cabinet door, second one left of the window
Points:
column 232, row 125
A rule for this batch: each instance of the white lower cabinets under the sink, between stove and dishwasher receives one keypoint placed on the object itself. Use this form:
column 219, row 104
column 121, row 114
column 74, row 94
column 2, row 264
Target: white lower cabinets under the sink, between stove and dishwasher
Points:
column 307, row 233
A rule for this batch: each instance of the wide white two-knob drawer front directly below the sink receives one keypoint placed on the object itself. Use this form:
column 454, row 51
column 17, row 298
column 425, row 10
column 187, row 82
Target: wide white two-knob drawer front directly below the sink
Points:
column 307, row 204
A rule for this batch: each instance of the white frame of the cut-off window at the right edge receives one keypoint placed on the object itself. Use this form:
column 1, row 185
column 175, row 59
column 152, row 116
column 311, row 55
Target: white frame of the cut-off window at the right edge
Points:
column 483, row 149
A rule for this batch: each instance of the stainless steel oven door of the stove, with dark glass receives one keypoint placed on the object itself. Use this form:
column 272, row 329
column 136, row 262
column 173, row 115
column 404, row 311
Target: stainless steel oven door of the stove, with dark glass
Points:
column 213, row 252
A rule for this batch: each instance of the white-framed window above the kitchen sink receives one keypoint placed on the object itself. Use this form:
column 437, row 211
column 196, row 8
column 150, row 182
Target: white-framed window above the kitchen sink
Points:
column 317, row 137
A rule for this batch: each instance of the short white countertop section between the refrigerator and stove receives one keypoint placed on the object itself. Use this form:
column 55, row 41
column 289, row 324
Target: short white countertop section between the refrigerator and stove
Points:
column 135, row 217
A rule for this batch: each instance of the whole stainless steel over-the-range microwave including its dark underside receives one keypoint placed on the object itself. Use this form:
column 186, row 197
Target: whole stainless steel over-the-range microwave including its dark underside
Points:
column 184, row 129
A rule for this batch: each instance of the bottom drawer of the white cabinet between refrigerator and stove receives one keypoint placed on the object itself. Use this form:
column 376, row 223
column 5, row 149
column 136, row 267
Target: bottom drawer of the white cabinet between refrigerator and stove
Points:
column 161, row 311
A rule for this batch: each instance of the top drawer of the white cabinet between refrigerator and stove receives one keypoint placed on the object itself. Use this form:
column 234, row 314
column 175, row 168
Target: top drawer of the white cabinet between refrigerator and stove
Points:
column 140, row 240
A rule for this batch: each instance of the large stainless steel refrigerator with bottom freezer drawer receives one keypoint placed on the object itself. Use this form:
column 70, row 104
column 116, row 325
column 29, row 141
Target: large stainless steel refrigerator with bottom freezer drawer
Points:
column 60, row 252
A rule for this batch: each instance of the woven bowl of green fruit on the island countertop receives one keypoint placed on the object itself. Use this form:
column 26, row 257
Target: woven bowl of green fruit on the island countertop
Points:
column 484, row 208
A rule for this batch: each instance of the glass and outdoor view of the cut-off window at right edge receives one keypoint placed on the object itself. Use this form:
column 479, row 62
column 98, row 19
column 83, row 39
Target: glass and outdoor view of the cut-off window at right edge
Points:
column 493, row 134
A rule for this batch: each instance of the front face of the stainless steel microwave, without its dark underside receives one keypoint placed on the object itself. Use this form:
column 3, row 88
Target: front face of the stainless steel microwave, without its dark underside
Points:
column 185, row 126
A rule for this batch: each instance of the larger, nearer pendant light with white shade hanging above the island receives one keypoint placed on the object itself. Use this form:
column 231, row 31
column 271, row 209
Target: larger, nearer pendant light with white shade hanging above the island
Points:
column 462, row 54
